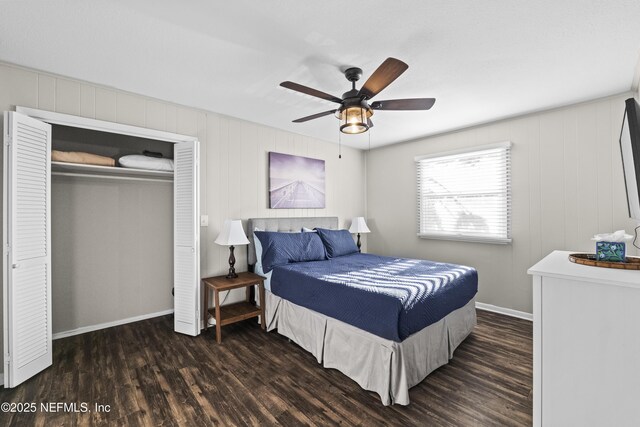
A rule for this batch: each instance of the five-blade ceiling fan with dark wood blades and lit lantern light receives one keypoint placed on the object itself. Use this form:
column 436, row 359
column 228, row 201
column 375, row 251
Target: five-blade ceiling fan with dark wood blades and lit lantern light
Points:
column 355, row 111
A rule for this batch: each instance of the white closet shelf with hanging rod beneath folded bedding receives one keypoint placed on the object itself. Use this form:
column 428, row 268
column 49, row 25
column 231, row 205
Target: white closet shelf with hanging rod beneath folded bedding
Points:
column 108, row 172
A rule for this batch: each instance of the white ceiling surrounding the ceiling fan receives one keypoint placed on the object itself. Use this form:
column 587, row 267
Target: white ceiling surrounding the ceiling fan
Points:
column 482, row 60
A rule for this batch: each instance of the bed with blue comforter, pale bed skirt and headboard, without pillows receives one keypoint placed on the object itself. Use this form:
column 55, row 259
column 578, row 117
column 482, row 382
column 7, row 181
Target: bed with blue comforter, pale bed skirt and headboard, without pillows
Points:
column 387, row 339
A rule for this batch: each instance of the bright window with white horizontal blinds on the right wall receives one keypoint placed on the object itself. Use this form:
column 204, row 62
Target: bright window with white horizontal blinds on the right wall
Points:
column 466, row 195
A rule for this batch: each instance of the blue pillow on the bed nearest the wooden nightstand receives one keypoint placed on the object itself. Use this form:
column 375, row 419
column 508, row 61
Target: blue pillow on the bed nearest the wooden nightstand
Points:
column 285, row 248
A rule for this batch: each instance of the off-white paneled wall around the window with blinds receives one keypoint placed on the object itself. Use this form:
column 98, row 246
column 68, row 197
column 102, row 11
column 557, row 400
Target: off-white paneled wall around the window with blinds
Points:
column 567, row 186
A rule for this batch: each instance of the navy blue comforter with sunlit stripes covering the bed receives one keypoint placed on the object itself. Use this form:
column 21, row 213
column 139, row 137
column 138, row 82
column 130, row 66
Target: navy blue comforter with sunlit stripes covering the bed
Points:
column 389, row 297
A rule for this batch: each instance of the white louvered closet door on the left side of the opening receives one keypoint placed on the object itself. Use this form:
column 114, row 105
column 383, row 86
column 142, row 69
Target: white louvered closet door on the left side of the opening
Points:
column 27, row 240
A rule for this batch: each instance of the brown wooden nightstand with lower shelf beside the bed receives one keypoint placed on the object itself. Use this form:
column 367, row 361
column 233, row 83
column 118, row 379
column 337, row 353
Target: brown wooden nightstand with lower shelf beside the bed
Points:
column 233, row 312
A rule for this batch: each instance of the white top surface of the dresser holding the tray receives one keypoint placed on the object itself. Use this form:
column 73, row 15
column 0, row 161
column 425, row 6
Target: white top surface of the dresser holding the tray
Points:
column 557, row 264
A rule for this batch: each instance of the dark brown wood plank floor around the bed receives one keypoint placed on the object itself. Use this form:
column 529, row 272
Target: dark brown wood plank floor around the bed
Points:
column 149, row 375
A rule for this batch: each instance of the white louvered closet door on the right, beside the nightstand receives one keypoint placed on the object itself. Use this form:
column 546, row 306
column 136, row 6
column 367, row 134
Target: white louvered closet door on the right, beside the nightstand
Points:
column 186, row 239
